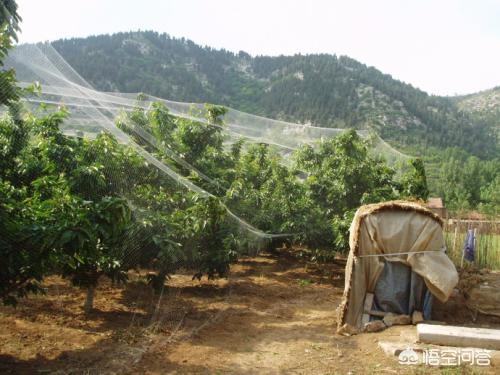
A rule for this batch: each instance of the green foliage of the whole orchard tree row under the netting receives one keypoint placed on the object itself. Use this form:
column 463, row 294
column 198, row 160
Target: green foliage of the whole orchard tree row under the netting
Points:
column 71, row 198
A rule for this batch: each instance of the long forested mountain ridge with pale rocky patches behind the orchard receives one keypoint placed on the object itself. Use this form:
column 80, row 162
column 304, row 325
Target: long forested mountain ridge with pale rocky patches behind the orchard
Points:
column 322, row 90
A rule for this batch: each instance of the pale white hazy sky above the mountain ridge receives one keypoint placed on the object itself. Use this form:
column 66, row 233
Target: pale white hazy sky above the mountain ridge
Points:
column 441, row 46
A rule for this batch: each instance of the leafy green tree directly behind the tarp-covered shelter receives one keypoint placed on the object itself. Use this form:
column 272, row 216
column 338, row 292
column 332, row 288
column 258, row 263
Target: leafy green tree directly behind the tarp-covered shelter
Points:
column 341, row 177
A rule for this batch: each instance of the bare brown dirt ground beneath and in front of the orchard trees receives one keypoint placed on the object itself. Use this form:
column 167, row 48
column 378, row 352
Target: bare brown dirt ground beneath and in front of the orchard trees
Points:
column 274, row 314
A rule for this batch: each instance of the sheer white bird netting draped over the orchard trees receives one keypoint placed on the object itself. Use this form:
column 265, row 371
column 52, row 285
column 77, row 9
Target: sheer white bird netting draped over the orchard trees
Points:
column 92, row 112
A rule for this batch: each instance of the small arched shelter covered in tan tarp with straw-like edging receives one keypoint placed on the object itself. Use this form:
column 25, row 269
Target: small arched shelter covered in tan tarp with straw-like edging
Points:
column 384, row 233
